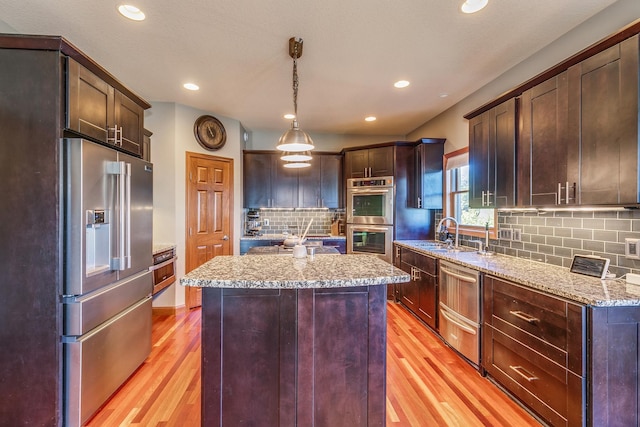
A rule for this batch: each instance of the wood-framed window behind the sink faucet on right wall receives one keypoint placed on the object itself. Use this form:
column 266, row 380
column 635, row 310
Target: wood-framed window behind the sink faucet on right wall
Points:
column 471, row 221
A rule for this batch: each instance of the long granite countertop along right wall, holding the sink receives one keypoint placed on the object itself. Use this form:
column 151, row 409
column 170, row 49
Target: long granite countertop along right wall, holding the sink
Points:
column 537, row 275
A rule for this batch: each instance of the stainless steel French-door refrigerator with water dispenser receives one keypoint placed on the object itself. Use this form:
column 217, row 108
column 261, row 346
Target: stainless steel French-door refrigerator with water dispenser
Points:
column 107, row 214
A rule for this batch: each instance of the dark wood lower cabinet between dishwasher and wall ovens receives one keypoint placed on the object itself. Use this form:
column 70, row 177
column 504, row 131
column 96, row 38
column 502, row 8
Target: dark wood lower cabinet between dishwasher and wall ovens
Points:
column 420, row 295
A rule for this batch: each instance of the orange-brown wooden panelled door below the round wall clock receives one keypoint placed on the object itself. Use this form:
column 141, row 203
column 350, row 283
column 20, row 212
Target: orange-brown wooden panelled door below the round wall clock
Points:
column 209, row 214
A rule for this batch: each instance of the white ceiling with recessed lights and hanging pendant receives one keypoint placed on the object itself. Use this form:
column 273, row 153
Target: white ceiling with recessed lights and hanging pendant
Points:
column 237, row 51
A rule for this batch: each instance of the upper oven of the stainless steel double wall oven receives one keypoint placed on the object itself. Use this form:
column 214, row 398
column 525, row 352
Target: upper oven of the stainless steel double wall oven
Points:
column 370, row 200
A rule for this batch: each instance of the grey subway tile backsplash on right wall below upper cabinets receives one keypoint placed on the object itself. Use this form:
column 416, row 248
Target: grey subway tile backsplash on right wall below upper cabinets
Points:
column 555, row 237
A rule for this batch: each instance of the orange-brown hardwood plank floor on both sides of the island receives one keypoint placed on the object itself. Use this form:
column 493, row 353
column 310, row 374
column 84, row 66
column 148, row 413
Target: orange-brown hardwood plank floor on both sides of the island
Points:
column 427, row 383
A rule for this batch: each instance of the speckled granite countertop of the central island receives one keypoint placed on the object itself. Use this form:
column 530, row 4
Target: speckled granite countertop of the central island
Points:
column 284, row 272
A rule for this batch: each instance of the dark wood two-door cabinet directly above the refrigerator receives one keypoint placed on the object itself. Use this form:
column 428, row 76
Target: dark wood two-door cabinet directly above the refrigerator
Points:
column 101, row 112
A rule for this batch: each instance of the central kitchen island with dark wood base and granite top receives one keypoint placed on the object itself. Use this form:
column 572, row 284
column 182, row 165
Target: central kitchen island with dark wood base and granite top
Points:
column 291, row 342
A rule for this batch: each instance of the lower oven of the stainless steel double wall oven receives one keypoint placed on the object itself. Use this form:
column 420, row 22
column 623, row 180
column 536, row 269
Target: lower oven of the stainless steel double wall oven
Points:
column 370, row 239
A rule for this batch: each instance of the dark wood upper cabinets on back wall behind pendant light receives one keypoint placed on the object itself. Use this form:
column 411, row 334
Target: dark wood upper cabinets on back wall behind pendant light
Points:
column 267, row 183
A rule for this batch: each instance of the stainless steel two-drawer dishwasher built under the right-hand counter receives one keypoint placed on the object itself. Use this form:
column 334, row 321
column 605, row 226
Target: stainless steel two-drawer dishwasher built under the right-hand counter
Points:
column 459, row 309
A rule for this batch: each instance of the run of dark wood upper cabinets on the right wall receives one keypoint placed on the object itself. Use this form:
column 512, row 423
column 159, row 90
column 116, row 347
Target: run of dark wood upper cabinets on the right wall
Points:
column 577, row 136
